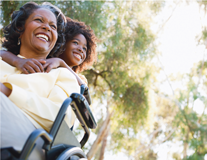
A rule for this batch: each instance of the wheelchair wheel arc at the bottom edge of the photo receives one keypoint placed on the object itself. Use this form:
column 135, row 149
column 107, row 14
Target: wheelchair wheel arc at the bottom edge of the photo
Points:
column 72, row 153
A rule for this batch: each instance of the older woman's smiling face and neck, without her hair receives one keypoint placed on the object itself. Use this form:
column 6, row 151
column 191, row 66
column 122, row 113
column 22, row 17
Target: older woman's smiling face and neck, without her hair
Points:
column 40, row 34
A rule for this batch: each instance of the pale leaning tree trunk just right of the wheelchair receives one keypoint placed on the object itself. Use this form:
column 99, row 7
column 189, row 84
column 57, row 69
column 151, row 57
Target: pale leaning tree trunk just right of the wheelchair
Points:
column 99, row 138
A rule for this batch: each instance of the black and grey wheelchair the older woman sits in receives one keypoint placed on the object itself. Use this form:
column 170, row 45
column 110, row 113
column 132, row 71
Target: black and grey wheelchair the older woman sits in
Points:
column 60, row 143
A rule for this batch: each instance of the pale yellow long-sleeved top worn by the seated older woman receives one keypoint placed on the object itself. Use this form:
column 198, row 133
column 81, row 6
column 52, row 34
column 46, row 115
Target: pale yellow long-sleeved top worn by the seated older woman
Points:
column 40, row 95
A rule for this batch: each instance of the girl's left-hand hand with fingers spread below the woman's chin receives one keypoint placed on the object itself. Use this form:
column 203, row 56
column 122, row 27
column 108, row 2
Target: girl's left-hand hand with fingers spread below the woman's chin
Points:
column 28, row 66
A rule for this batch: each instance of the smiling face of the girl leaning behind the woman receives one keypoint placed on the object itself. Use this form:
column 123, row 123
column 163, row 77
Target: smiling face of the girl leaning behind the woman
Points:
column 75, row 51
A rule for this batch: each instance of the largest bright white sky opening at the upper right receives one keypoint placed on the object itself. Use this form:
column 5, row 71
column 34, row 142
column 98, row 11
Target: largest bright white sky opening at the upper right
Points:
column 178, row 44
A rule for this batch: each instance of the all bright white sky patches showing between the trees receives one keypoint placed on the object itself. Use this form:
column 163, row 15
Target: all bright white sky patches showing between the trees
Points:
column 178, row 49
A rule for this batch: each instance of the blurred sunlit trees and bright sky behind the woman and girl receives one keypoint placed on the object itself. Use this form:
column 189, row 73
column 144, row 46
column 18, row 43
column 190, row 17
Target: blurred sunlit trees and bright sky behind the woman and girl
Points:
column 149, row 84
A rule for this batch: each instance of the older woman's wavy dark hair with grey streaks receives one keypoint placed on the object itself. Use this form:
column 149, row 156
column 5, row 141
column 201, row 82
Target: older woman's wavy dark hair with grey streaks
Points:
column 13, row 31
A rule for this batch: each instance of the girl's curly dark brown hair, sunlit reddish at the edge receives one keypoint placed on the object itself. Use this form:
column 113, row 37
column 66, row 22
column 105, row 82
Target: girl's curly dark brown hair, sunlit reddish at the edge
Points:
column 73, row 28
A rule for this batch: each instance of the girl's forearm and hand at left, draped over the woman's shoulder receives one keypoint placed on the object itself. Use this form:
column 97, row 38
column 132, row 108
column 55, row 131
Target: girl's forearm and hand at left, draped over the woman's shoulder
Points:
column 25, row 65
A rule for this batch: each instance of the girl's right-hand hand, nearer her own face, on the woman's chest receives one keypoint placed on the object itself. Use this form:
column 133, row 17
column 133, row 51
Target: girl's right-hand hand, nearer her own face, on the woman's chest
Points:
column 53, row 63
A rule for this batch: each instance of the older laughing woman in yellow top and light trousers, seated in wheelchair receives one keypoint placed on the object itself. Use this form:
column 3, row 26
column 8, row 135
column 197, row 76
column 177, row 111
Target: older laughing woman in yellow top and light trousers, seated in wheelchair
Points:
column 33, row 101
